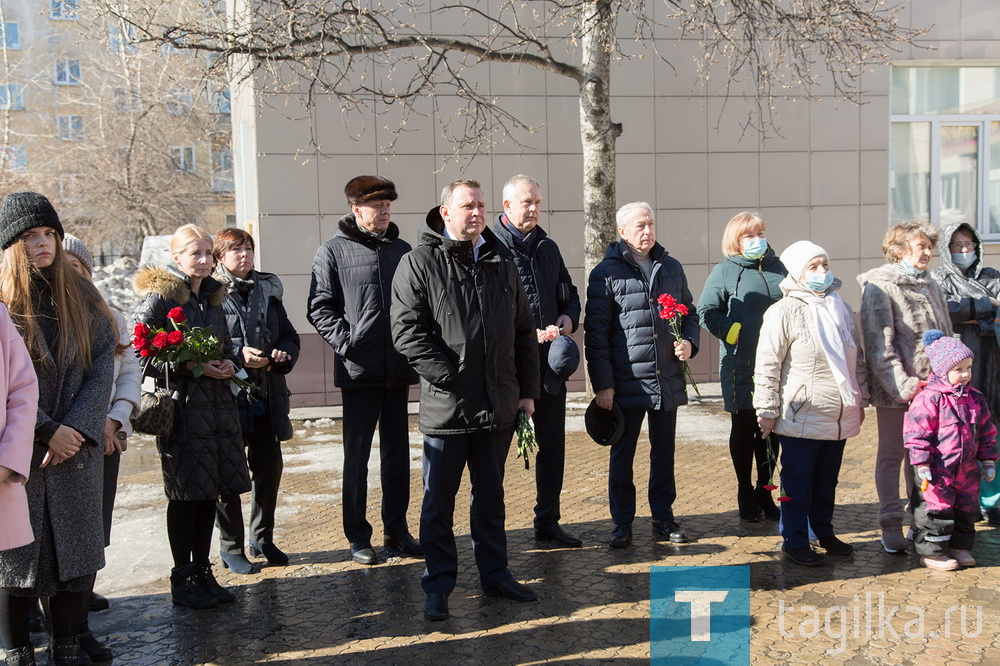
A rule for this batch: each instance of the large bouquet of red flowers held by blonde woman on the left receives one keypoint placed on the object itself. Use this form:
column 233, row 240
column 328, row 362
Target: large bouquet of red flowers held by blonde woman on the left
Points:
column 184, row 343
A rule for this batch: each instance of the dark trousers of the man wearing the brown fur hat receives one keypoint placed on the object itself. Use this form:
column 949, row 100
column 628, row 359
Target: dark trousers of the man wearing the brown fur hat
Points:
column 364, row 408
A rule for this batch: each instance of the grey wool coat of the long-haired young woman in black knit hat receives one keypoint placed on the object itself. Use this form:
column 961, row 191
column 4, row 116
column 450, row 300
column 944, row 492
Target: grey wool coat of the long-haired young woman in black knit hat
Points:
column 64, row 500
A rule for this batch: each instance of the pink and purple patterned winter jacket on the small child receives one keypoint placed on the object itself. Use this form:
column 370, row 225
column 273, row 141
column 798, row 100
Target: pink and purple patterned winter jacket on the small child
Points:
column 948, row 428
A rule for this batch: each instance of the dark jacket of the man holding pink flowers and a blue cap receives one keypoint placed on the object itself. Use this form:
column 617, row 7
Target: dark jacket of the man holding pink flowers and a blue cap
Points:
column 551, row 292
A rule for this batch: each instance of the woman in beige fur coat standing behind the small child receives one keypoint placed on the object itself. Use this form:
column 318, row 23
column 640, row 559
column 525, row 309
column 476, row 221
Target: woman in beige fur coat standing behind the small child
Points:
column 899, row 301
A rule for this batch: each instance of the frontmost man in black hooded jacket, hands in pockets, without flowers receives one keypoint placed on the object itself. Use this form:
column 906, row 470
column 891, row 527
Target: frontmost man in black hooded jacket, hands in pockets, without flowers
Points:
column 461, row 318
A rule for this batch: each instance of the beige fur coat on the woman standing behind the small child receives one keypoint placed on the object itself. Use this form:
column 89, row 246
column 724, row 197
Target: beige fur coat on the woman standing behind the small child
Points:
column 896, row 310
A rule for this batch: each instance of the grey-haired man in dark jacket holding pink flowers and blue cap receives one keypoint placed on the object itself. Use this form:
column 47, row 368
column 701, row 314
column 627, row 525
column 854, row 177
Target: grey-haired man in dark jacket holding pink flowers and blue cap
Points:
column 554, row 302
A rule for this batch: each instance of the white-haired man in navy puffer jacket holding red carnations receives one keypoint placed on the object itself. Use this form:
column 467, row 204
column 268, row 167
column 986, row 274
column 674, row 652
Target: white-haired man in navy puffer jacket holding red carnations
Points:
column 635, row 361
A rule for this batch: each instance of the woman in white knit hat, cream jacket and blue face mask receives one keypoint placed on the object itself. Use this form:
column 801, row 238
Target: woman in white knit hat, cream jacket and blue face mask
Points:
column 810, row 389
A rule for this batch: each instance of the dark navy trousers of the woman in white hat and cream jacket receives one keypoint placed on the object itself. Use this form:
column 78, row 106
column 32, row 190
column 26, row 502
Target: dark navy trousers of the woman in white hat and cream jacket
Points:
column 809, row 471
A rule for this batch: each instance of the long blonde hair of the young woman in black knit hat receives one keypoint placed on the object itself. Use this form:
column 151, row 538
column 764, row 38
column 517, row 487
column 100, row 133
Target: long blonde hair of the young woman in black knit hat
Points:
column 74, row 298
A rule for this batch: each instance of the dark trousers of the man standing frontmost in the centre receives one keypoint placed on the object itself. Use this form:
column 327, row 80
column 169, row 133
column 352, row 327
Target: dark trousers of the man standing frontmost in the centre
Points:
column 445, row 458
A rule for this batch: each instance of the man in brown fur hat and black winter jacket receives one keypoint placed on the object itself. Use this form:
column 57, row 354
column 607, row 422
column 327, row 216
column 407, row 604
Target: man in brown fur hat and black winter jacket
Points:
column 349, row 306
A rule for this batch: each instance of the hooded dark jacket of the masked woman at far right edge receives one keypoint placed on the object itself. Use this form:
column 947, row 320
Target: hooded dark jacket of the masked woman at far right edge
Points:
column 968, row 295
